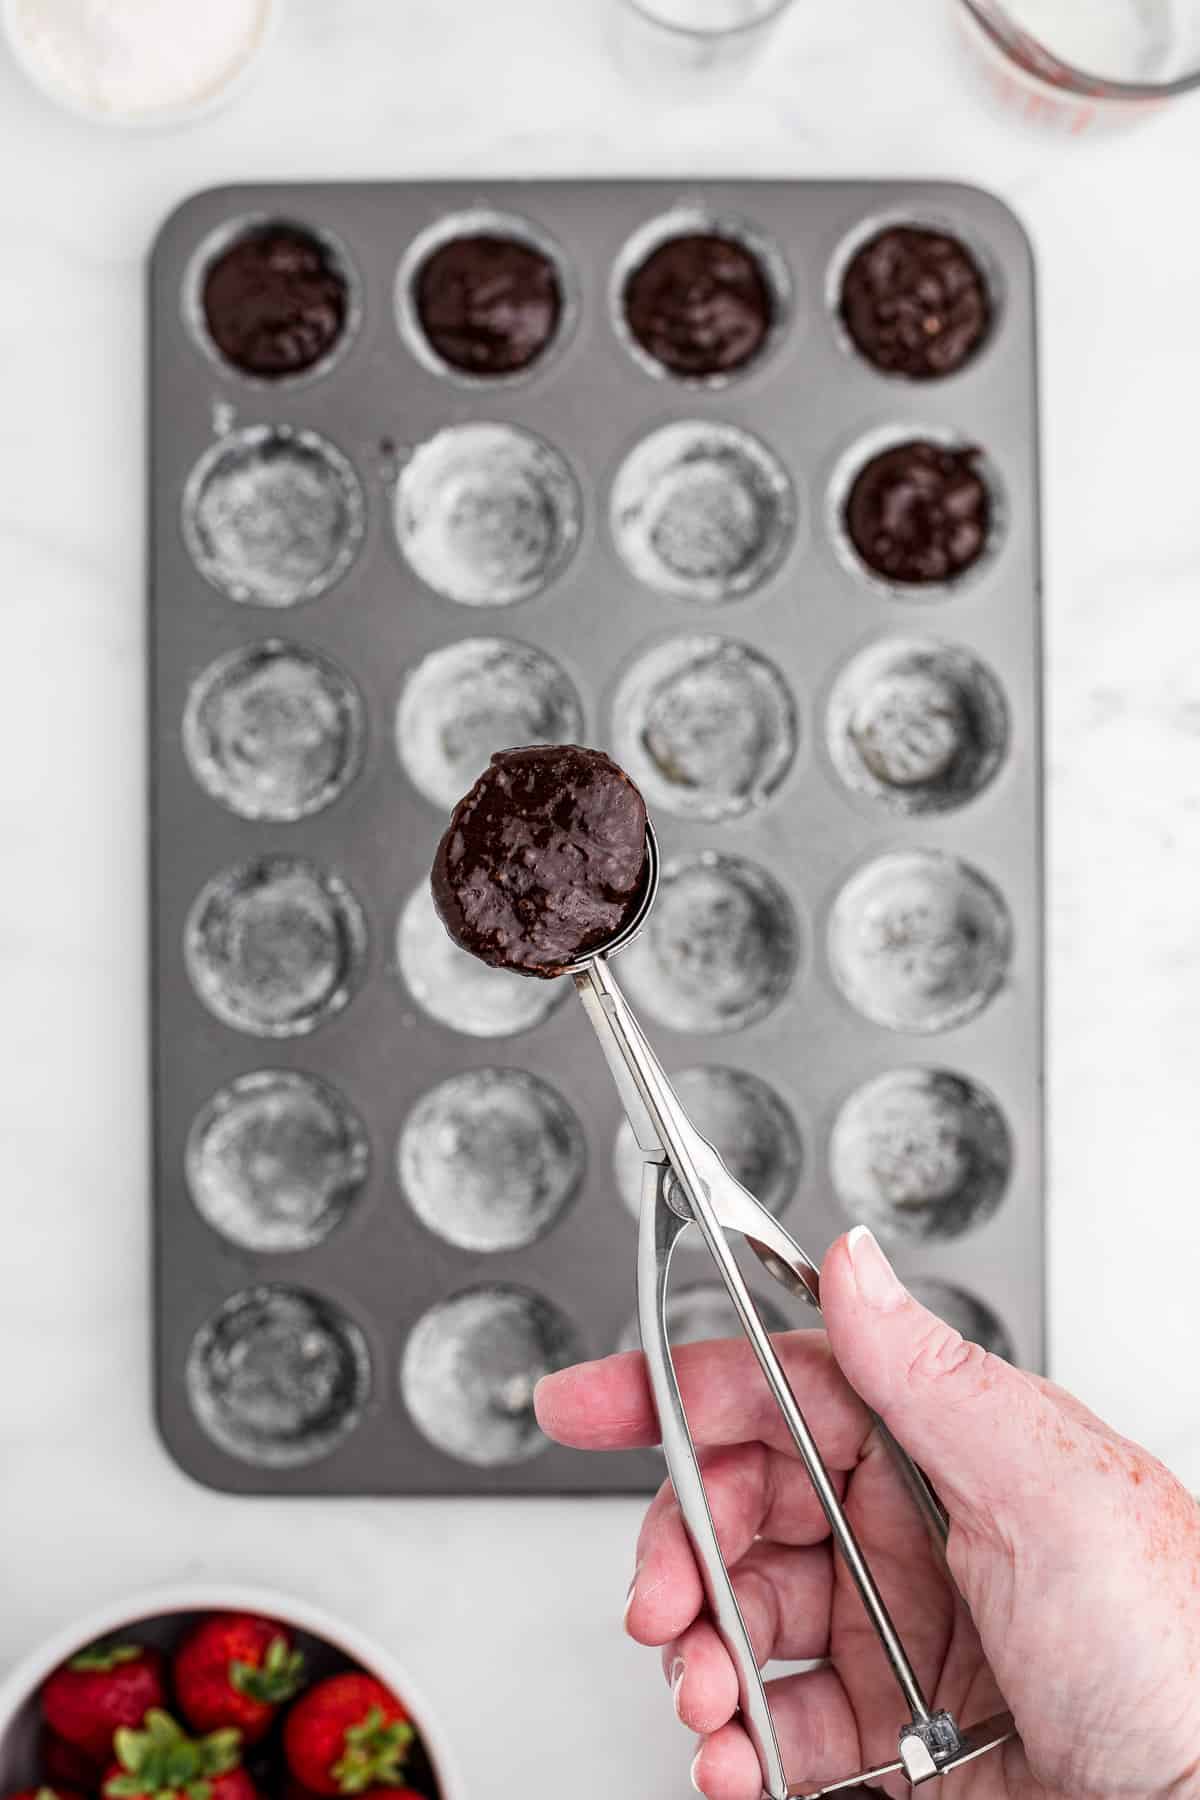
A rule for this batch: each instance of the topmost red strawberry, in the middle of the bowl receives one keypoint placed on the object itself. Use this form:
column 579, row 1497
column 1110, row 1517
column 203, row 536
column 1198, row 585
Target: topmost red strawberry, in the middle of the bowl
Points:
column 237, row 1671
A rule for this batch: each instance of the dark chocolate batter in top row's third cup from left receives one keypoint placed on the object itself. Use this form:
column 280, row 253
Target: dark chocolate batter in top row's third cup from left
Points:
column 699, row 305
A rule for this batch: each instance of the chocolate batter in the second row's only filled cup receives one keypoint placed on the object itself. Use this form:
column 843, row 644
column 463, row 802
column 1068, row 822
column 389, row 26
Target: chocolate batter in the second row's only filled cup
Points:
column 920, row 512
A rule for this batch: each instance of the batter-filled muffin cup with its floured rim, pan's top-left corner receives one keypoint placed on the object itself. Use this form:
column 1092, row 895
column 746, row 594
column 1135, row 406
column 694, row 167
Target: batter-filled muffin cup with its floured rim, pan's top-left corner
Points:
column 273, row 301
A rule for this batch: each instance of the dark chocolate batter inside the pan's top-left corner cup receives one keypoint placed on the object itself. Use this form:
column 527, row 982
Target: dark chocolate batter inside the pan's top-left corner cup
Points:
column 274, row 303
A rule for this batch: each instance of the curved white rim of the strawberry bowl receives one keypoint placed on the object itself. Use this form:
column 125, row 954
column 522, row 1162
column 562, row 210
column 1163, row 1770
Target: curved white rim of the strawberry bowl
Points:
column 30, row 1671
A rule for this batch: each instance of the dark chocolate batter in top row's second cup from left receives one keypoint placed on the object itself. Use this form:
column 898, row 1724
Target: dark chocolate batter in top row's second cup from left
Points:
column 488, row 305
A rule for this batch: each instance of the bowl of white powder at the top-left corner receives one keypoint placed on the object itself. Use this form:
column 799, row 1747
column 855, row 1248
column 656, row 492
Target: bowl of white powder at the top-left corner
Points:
column 138, row 58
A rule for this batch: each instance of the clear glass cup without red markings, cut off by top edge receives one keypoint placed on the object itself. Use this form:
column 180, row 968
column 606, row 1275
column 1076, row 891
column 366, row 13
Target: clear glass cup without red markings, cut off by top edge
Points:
column 692, row 46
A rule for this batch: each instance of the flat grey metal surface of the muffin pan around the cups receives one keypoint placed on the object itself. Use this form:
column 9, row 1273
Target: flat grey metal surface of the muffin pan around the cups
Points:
column 810, row 400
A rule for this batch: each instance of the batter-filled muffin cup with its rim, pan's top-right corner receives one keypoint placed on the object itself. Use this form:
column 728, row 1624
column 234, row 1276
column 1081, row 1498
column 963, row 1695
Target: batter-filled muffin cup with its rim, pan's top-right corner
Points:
column 913, row 298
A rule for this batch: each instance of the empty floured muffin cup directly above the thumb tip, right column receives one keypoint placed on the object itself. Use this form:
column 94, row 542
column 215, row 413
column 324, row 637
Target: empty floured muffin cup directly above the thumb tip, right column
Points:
column 920, row 1156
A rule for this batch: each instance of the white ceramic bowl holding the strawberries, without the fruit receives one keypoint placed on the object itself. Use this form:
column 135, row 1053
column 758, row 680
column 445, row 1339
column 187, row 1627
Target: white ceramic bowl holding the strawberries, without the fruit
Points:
column 161, row 1617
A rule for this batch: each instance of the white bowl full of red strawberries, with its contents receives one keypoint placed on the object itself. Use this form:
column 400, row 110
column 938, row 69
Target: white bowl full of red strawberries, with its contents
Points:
column 211, row 1695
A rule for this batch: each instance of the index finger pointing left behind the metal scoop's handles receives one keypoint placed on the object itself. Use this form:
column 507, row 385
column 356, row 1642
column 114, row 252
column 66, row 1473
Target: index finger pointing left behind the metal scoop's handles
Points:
column 609, row 1407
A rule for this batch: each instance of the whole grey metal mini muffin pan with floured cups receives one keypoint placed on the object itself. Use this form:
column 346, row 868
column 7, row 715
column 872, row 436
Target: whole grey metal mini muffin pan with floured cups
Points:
column 393, row 1187
